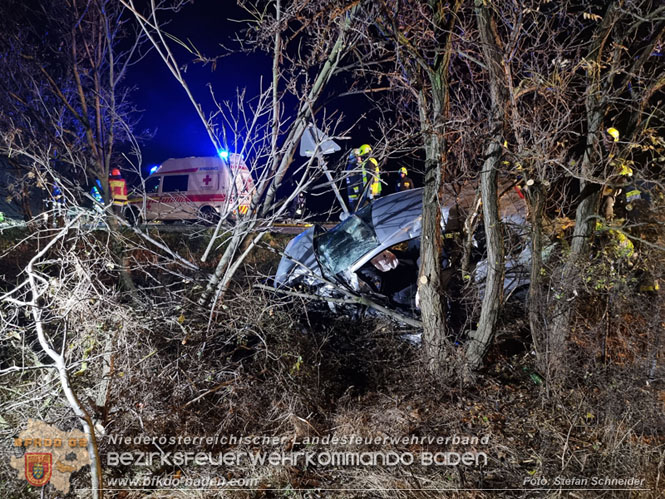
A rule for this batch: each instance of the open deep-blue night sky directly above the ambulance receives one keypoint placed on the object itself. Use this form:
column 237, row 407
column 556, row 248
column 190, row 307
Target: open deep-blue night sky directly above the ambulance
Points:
column 167, row 112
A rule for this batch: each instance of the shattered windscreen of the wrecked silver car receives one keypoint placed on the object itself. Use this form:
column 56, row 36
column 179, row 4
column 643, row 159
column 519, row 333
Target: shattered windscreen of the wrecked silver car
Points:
column 343, row 245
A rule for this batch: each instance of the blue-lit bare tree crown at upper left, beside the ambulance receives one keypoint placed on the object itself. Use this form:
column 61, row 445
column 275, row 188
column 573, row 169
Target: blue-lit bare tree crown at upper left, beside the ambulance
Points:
column 65, row 88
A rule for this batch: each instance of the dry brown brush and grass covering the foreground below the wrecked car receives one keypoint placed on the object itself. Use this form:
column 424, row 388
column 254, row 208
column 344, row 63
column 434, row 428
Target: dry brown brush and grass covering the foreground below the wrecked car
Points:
column 282, row 367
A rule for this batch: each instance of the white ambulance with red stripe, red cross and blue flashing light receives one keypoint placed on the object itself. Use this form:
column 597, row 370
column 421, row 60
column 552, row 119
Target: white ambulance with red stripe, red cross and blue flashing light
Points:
column 195, row 188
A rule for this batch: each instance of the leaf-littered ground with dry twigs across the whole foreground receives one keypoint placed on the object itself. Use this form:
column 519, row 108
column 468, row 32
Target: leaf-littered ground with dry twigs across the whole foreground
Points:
column 284, row 380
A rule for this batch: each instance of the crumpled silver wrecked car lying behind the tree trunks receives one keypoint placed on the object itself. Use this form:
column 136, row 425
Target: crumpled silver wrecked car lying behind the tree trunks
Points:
column 375, row 252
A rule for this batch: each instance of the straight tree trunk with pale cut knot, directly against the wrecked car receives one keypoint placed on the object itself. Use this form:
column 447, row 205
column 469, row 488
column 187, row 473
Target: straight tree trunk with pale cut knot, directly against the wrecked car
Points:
column 416, row 40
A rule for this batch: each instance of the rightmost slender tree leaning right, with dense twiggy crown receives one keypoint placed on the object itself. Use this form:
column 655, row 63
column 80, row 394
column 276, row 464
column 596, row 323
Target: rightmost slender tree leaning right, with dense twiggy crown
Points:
column 622, row 77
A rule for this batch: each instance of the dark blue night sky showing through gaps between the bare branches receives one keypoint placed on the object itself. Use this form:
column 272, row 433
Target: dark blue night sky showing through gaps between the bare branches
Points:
column 169, row 115
